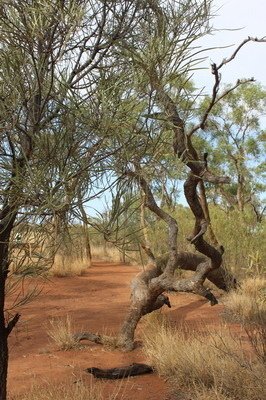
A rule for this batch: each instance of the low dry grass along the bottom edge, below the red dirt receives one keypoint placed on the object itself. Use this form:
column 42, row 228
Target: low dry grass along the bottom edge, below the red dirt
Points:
column 64, row 391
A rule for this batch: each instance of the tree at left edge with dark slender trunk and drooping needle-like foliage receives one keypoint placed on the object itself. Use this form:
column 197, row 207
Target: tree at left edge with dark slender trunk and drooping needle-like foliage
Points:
column 54, row 139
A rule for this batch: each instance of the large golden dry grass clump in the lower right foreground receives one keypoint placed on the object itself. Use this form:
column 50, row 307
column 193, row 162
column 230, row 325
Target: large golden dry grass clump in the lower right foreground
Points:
column 214, row 361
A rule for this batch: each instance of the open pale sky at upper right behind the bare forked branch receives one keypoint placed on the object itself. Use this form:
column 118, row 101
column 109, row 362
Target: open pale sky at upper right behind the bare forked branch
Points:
column 249, row 18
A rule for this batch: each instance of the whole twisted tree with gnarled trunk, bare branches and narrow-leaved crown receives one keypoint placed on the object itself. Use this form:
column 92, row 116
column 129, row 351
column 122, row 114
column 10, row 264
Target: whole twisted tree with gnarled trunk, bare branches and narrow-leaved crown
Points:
column 161, row 62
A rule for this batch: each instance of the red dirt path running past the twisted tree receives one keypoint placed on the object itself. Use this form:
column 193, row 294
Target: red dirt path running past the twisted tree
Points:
column 96, row 302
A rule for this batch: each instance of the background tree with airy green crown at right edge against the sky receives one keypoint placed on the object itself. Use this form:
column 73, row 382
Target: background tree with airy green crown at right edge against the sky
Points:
column 235, row 135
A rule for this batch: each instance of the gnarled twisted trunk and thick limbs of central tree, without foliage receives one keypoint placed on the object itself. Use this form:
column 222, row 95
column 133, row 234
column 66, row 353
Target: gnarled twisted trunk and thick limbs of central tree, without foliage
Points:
column 148, row 287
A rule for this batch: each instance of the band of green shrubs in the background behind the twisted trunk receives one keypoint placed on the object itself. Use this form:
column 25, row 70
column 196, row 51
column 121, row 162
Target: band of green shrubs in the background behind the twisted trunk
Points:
column 243, row 238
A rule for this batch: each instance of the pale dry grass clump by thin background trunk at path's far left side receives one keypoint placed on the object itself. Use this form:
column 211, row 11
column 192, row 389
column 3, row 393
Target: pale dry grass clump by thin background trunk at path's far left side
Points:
column 68, row 266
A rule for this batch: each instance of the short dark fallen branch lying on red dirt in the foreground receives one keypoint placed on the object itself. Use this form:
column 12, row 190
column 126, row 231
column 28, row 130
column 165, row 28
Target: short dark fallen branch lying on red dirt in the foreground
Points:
column 120, row 373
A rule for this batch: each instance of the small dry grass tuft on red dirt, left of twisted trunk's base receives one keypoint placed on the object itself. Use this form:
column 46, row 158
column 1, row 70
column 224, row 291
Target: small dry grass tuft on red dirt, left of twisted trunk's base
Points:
column 61, row 332
